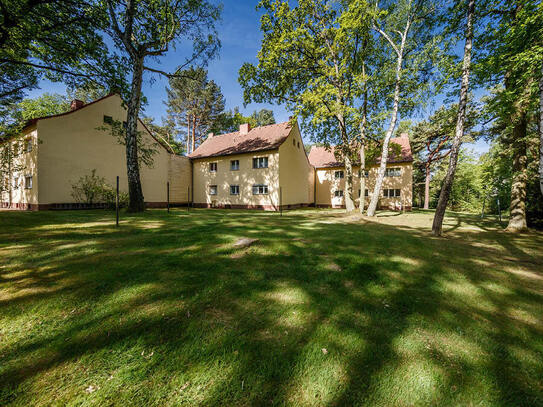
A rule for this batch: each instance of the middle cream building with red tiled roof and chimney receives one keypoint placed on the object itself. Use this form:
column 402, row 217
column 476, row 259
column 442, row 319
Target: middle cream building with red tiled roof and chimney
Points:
column 261, row 168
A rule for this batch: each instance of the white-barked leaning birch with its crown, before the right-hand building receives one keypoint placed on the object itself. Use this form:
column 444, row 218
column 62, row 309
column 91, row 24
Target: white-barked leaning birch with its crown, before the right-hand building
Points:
column 407, row 28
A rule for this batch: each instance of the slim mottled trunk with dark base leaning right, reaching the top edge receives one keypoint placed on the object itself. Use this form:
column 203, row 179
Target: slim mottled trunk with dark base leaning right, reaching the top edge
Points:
column 437, row 225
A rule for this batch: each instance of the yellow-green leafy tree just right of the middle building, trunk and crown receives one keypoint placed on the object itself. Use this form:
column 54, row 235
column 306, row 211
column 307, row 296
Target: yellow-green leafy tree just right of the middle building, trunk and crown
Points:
column 310, row 59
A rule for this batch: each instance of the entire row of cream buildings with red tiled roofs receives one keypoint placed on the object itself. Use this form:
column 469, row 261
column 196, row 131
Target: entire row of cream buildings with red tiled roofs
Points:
column 261, row 168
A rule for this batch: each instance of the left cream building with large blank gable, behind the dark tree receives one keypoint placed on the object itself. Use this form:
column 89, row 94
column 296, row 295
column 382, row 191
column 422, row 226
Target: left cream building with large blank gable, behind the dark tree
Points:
column 58, row 150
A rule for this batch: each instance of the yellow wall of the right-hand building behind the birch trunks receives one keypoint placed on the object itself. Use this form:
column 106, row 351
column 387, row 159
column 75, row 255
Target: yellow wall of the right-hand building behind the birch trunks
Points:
column 327, row 184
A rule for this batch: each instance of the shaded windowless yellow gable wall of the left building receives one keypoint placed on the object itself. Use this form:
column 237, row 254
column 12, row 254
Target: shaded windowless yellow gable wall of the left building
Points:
column 72, row 145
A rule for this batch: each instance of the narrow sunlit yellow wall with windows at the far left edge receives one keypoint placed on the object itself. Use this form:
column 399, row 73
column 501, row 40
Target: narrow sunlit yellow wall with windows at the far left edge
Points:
column 27, row 165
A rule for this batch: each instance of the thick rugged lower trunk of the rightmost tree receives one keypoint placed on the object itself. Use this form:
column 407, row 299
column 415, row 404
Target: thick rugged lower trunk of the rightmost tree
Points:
column 517, row 217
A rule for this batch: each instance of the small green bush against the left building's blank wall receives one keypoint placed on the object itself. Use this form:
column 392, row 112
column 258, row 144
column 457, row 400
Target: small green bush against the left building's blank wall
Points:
column 93, row 189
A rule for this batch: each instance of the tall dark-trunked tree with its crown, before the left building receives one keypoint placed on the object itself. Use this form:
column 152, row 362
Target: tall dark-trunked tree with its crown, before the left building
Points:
column 144, row 30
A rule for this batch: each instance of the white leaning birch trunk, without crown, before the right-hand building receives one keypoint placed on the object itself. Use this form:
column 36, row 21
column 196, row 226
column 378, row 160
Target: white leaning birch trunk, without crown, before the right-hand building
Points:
column 384, row 153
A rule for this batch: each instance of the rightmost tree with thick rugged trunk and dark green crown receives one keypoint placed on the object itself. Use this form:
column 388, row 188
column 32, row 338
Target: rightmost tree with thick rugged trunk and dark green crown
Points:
column 510, row 64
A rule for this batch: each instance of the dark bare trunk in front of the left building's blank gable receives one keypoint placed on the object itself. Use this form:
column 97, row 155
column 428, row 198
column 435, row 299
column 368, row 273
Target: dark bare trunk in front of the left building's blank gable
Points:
column 136, row 201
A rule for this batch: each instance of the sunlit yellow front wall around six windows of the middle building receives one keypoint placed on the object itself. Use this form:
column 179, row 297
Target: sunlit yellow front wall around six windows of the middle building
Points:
column 245, row 177
